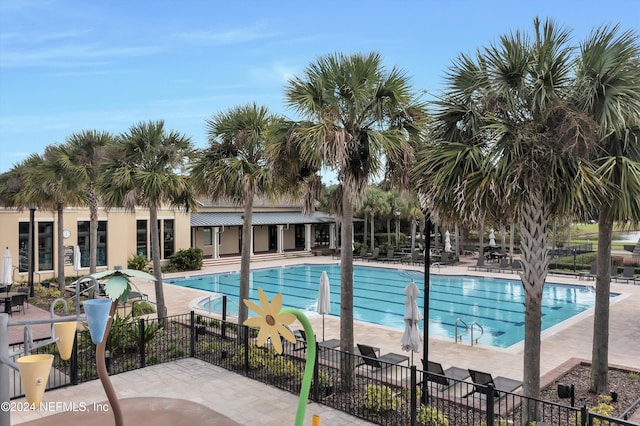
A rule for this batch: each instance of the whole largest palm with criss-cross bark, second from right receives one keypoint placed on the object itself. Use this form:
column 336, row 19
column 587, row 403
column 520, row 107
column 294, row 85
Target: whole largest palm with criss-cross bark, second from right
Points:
column 506, row 134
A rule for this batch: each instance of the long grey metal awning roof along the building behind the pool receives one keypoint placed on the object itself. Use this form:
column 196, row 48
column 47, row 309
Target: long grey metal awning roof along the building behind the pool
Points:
column 258, row 218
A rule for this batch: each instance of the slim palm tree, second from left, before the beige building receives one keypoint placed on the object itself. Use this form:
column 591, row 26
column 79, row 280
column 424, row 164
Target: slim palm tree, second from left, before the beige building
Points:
column 83, row 154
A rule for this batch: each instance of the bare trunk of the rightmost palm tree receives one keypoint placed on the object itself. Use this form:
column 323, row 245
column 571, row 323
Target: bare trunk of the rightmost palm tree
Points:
column 599, row 382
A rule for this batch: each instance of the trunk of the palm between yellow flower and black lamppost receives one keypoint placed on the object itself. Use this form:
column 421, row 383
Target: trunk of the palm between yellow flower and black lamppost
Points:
column 346, row 293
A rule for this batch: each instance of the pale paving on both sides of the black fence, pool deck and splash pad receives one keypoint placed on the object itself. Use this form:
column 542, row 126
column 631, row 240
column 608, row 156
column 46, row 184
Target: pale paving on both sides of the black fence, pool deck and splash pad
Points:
column 561, row 344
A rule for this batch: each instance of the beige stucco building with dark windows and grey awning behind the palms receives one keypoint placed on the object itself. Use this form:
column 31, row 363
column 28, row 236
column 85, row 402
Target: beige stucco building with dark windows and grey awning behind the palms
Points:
column 214, row 228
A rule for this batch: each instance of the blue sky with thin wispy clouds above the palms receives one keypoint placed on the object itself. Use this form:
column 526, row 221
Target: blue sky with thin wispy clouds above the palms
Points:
column 68, row 66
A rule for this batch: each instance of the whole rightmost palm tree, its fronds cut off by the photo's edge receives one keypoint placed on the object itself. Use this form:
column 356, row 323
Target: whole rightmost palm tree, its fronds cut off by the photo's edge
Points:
column 608, row 90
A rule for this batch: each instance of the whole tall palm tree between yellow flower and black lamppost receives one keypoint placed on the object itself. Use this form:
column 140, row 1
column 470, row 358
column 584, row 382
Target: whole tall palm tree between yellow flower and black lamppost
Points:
column 357, row 114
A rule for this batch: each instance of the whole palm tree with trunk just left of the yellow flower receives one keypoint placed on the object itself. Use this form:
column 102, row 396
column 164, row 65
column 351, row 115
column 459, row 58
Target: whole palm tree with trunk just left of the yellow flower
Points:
column 234, row 167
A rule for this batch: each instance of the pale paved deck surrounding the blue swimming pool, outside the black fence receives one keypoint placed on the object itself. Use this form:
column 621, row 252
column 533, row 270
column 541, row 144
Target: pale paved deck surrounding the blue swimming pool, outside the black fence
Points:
column 570, row 339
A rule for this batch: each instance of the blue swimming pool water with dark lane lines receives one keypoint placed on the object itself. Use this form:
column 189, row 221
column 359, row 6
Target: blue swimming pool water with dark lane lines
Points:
column 496, row 304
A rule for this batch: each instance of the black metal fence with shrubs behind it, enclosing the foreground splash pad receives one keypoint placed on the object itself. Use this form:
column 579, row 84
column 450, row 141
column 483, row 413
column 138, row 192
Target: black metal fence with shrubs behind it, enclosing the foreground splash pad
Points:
column 379, row 392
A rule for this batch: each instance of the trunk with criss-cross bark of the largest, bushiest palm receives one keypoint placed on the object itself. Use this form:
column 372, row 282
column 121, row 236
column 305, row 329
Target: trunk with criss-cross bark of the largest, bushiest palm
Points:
column 534, row 232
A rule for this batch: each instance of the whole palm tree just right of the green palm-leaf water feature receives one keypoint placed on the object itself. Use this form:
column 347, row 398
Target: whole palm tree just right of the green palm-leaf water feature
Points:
column 141, row 171
